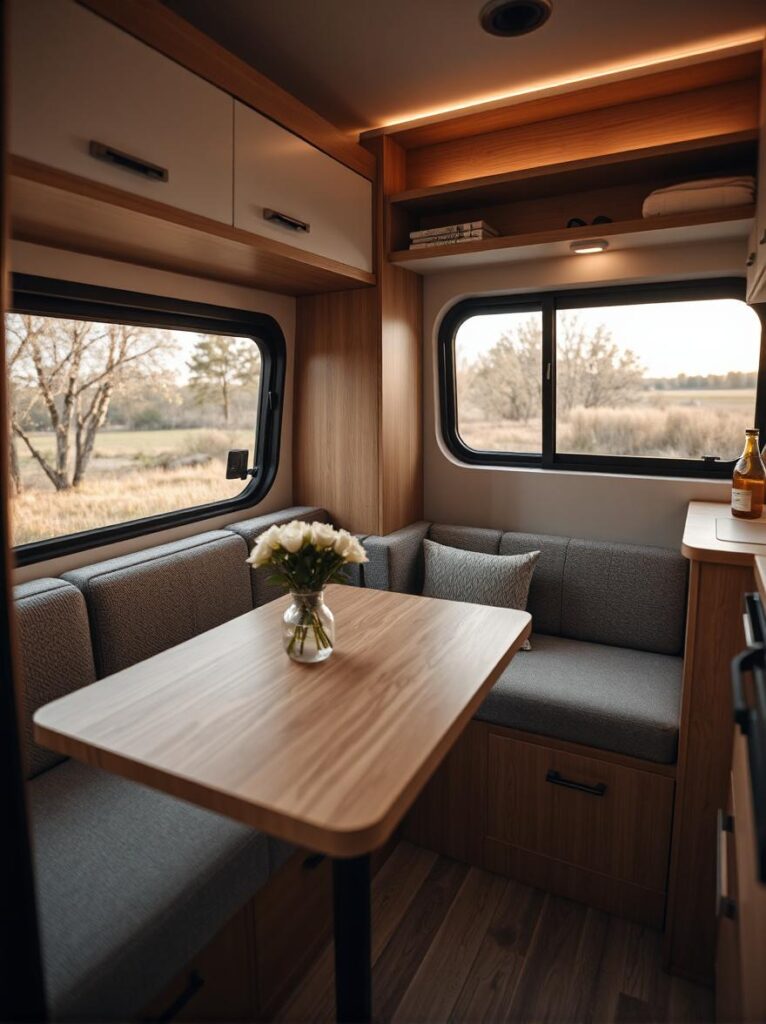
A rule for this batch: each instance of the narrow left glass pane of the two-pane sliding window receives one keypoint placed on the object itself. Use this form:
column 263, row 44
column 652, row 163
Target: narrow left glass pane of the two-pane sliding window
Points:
column 498, row 370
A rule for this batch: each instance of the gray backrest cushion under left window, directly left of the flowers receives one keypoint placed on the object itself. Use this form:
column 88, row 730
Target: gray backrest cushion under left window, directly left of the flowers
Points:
column 143, row 604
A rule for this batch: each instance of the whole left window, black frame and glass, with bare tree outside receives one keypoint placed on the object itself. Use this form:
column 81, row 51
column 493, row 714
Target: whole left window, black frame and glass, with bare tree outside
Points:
column 124, row 408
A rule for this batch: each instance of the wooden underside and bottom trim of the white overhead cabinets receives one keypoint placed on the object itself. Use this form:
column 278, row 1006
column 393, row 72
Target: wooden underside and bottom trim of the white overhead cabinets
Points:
column 55, row 208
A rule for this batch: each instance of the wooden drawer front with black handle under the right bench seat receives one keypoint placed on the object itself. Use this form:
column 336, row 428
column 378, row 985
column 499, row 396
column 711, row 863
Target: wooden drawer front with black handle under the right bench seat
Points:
column 623, row 833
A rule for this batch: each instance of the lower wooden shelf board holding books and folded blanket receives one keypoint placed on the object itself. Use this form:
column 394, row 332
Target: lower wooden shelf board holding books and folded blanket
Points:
column 718, row 224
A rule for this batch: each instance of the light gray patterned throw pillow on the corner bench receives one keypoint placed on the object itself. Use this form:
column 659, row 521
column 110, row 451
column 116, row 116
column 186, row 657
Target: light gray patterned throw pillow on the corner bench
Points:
column 501, row 581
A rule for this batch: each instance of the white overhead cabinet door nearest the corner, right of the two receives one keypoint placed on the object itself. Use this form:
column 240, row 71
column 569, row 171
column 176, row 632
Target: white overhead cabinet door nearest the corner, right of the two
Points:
column 287, row 190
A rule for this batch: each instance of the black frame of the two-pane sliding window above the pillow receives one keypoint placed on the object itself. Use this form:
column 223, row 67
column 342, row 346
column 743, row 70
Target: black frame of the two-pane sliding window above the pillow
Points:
column 549, row 304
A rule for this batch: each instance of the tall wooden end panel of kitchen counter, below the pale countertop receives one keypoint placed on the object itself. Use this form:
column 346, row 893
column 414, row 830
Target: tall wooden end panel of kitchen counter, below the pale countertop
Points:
column 714, row 635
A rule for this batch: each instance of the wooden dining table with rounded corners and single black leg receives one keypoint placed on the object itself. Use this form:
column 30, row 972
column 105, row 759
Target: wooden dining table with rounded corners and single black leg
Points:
column 329, row 757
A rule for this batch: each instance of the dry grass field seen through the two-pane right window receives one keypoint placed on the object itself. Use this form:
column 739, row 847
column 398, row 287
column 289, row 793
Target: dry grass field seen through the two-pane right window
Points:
column 663, row 424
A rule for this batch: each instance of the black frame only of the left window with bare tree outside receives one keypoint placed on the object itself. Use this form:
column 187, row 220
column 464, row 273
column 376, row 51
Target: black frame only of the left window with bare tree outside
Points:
column 49, row 297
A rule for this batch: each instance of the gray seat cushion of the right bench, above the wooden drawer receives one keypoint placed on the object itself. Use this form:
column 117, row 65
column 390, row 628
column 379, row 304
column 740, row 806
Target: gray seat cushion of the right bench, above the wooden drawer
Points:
column 609, row 698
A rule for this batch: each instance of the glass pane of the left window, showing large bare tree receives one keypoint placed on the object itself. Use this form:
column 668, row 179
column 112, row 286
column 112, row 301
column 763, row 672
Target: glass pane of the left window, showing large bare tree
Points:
column 113, row 422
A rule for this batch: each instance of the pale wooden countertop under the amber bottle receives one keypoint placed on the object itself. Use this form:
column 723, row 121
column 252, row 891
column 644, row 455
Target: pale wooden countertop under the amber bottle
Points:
column 713, row 535
